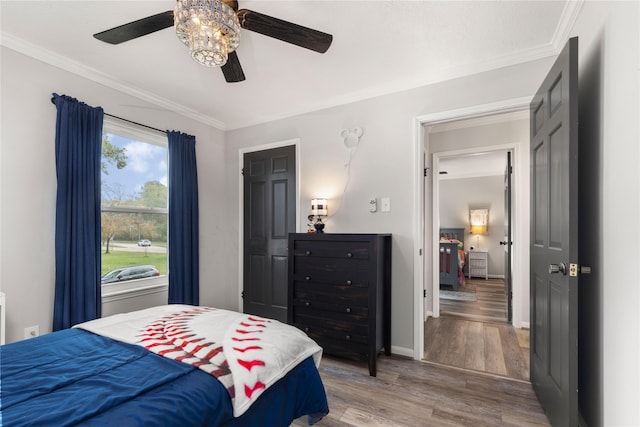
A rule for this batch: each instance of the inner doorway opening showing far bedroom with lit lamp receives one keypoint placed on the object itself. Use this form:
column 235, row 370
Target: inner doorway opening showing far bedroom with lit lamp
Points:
column 472, row 200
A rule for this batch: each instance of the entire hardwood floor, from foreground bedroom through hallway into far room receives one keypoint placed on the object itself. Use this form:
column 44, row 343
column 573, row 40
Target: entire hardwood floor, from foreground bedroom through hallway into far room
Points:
column 475, row 373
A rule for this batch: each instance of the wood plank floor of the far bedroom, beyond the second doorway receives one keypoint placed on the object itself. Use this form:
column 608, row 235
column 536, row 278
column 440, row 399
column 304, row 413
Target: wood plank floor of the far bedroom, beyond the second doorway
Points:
column 491, row 303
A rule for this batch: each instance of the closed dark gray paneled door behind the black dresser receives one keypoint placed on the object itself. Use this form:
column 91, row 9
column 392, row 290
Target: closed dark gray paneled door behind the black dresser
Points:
column 269, row 217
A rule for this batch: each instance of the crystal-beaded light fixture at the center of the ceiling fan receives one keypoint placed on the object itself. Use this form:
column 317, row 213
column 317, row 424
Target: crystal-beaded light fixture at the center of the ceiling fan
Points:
column 210, row 28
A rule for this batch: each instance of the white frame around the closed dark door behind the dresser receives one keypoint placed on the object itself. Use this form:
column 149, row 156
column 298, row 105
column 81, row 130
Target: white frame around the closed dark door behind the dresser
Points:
column 241, row 152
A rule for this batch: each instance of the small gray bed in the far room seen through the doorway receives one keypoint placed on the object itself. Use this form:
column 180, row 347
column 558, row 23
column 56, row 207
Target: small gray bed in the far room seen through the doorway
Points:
column 452, row 257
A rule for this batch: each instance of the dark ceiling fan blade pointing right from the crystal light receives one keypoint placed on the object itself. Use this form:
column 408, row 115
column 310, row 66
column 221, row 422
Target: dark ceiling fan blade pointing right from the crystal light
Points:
column 285, row 31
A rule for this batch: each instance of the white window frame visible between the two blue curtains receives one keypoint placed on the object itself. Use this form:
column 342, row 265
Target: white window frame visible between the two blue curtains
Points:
column 115, row 291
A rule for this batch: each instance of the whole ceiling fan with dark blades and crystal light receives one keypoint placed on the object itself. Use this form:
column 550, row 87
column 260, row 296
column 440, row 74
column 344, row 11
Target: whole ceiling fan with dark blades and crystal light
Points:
column 211, row 30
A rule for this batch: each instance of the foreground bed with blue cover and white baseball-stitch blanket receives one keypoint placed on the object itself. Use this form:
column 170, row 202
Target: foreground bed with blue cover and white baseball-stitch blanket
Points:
column 167, row 366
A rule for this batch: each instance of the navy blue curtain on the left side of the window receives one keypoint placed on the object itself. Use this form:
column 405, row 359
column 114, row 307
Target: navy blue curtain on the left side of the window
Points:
column 78, row 152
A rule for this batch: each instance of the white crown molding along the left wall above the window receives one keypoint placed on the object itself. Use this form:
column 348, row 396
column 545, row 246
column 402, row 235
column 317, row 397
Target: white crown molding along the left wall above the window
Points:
column 67, row 64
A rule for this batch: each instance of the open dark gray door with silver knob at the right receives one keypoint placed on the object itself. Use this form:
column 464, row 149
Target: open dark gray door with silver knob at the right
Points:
column 554, row 238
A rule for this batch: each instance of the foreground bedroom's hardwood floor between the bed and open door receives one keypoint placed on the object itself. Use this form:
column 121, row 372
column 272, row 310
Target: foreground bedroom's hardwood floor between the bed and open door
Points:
column 413, row 393
